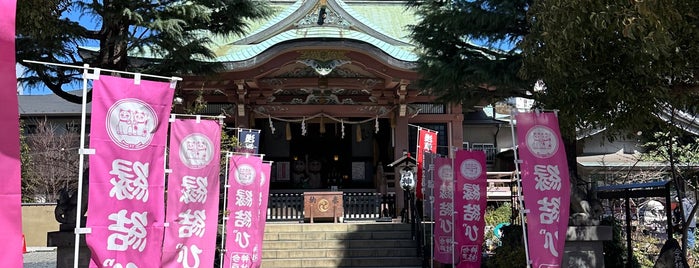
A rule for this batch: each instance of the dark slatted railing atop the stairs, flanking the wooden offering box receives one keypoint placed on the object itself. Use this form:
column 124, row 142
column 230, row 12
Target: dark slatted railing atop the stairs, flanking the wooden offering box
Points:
column 356, row 206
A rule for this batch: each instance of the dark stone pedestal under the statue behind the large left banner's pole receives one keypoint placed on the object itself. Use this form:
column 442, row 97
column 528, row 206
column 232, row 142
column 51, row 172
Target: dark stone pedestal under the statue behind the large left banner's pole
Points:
column 64, row 241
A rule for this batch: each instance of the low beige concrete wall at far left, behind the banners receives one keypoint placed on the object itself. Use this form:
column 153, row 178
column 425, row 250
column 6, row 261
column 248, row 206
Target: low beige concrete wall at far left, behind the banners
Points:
column 37, row 220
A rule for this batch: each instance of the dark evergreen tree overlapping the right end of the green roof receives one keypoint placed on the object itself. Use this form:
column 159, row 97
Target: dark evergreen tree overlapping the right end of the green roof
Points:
column 468, row 51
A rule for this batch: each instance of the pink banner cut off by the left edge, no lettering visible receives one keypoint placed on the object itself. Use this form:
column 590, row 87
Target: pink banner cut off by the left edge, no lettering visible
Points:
column 10, row 188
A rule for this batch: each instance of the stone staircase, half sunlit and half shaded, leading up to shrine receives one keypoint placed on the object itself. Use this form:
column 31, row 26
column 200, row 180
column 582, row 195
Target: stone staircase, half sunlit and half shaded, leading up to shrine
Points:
column 339, row 245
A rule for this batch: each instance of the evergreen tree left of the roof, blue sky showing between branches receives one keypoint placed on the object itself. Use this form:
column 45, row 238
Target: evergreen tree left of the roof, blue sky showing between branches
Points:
column 170, row 37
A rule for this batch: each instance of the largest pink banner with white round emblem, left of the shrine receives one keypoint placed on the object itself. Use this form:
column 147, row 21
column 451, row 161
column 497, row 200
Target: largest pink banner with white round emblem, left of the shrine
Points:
column 127, row 174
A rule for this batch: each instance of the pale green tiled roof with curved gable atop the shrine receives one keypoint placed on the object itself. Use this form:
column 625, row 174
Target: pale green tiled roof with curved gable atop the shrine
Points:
column 380, row 23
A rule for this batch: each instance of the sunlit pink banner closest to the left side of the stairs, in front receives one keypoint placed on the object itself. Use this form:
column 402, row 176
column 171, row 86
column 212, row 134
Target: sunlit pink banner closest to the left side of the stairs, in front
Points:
column 243, row 212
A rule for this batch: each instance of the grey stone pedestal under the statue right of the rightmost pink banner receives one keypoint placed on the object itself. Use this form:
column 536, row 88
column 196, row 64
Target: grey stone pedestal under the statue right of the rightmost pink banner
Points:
column 584, row 246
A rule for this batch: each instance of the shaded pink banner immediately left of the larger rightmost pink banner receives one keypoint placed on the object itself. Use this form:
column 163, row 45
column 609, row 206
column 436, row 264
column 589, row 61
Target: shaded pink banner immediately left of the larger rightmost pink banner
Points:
column 470, row 199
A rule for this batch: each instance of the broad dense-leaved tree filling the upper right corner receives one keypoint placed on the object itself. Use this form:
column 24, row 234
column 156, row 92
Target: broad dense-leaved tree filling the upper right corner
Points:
column 614, row 64
